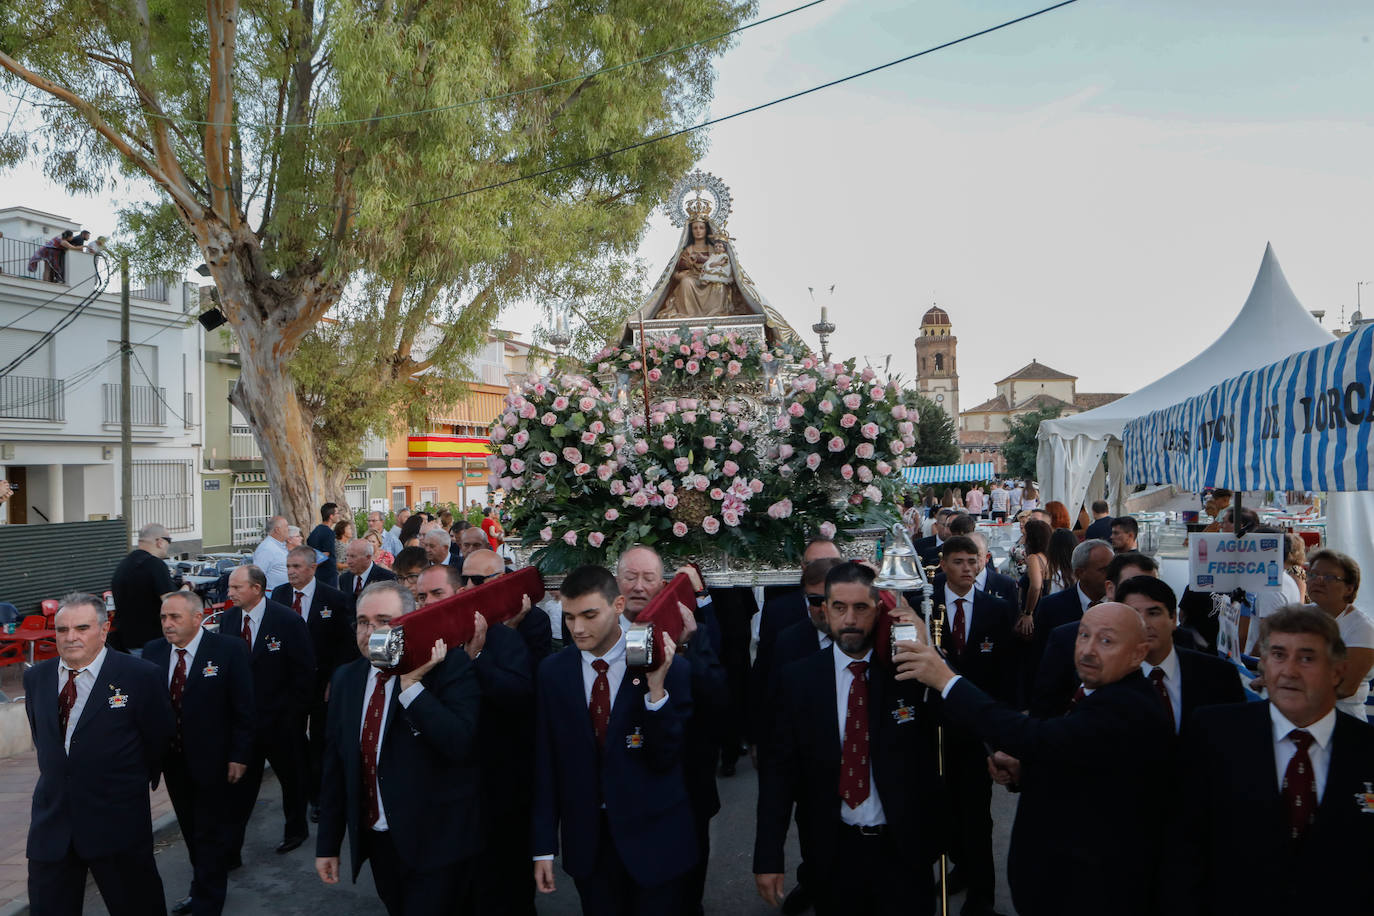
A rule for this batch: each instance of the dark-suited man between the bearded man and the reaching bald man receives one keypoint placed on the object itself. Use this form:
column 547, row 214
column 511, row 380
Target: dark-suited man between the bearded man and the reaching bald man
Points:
column 982, row 648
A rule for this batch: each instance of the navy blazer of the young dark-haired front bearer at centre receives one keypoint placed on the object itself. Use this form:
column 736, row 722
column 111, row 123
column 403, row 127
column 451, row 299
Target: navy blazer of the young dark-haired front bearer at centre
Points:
column 640, row 775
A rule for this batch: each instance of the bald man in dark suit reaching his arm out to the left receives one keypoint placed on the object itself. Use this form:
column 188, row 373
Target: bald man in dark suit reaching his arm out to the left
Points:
column 1114, row 745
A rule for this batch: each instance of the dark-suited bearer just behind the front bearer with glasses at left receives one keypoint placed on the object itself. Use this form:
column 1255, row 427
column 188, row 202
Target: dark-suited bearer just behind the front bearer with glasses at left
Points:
column 505, row 752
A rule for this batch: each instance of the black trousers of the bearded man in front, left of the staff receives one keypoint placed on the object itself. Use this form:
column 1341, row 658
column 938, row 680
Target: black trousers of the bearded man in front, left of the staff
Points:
column 869, row 878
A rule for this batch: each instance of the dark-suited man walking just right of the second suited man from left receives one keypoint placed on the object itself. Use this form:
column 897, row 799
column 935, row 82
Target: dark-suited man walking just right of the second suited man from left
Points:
column 284, row 682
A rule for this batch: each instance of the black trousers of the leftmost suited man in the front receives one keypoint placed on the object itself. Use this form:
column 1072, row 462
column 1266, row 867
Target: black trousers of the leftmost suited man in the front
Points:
column 130, row 884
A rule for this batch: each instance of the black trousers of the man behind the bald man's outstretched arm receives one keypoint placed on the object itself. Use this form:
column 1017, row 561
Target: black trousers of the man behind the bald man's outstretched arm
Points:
column 971, row 800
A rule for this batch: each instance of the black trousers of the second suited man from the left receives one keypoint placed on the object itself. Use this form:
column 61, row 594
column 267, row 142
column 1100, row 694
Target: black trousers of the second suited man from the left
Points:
column 208, row 829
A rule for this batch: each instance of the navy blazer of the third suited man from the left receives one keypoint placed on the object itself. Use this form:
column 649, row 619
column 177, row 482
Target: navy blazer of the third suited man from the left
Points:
column 284, row 665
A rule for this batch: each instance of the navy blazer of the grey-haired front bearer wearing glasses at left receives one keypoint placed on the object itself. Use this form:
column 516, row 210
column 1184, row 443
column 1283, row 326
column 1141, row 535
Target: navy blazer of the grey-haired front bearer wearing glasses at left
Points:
column 428, row 768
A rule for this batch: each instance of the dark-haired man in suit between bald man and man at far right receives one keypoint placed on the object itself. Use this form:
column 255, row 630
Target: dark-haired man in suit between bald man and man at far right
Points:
column 1185, row 680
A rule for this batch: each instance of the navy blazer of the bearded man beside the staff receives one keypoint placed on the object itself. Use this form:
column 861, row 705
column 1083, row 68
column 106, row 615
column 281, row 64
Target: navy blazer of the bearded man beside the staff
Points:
column 803, row 767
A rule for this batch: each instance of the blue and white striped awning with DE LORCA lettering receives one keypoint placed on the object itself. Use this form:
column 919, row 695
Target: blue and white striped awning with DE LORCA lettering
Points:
column 1303, row 424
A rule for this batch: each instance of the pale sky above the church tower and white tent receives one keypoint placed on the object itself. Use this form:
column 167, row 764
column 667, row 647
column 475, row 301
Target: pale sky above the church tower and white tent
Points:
column 1093, row 189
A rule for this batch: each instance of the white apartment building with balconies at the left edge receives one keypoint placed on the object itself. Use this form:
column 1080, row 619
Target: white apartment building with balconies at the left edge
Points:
column 60, row 407
